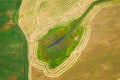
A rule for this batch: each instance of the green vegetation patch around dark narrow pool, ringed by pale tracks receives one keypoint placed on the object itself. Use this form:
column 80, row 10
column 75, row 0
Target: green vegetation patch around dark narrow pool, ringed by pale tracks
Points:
column 58, row 43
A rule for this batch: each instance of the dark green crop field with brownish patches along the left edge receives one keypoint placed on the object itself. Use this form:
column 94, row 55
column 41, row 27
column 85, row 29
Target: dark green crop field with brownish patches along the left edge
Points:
column 13, row 45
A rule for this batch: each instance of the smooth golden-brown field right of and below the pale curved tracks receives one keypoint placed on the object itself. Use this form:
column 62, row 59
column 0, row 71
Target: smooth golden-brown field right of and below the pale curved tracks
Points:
column 100, row 59
